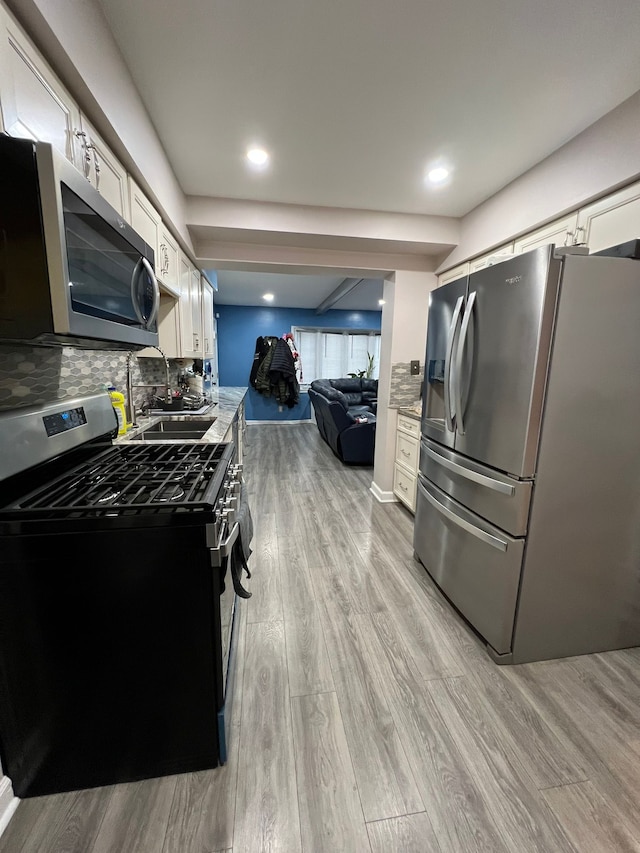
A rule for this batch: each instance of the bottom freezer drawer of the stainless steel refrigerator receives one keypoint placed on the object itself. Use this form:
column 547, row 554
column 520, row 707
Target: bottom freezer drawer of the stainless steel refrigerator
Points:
column 474, row 563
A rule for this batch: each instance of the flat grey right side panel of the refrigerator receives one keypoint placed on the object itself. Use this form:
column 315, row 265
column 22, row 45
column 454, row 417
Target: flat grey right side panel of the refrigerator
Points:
column 580, row 587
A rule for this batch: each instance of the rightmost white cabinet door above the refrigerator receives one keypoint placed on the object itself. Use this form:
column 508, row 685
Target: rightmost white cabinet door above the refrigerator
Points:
column 611, row 220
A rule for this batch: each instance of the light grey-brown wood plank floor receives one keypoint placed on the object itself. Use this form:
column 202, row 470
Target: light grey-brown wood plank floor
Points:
column 368, row 717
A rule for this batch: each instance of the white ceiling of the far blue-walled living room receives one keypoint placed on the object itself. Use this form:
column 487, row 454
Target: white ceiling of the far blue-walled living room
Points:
column 294, row 291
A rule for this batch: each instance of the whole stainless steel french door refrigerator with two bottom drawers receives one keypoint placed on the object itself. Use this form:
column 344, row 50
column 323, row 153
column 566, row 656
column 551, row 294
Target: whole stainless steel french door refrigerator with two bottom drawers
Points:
column 528, row 505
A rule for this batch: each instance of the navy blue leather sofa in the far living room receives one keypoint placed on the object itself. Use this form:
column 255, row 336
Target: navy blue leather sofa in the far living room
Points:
column 346, row 418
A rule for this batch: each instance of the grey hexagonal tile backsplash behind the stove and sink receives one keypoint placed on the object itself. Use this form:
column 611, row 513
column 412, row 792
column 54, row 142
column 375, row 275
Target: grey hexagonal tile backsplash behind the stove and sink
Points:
column 30, row 375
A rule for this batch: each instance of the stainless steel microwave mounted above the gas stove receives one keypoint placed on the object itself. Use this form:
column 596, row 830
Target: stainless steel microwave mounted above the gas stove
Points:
column 72, row 271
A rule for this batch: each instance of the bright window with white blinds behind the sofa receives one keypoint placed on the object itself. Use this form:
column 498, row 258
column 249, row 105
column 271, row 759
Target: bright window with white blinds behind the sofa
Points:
column 334, row 353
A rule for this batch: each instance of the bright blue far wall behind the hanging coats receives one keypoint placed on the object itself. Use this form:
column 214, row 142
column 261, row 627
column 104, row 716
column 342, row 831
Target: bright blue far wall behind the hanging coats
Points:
column 240, row 325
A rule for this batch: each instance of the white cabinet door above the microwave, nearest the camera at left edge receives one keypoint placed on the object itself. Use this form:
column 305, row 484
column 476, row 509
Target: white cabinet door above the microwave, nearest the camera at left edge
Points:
column 35, row 104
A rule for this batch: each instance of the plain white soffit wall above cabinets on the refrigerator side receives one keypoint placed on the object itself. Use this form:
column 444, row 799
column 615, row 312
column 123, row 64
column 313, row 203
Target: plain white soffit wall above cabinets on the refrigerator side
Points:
column 598, row 160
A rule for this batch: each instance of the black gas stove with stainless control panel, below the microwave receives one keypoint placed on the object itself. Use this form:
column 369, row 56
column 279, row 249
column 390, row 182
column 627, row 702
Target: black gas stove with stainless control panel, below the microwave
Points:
column 116, row 622
